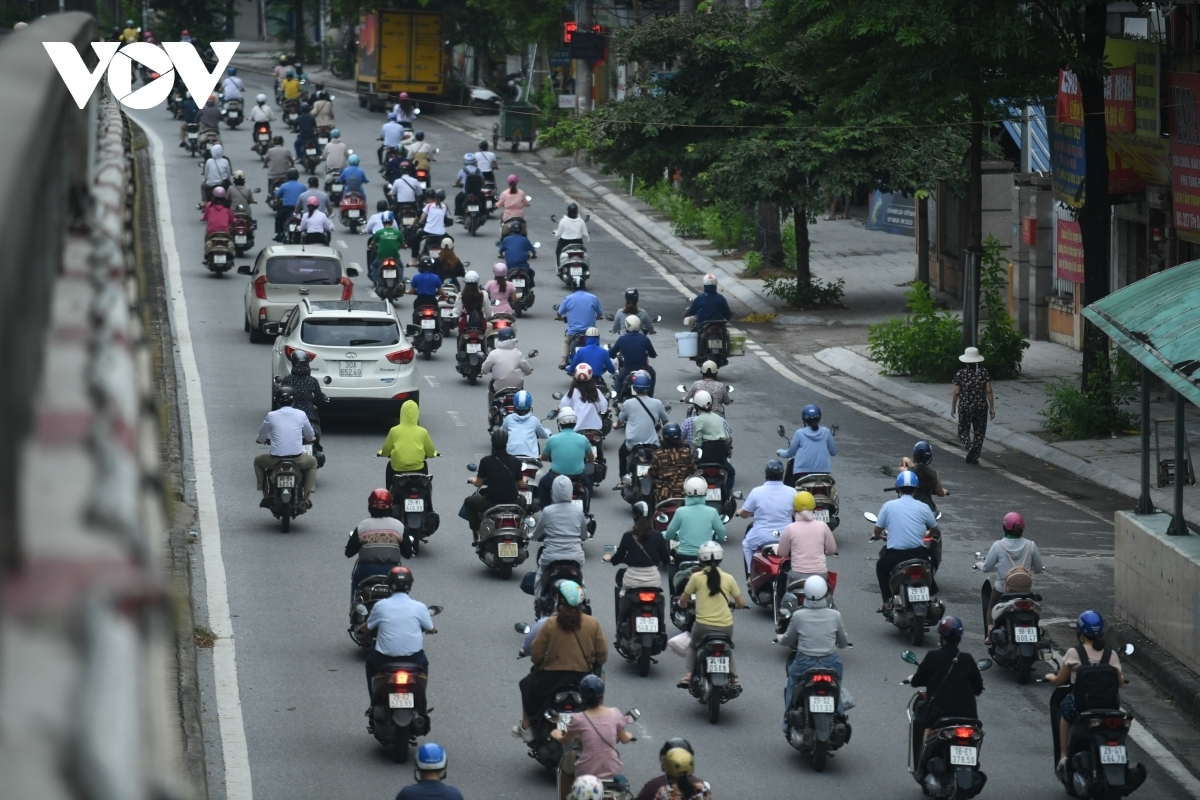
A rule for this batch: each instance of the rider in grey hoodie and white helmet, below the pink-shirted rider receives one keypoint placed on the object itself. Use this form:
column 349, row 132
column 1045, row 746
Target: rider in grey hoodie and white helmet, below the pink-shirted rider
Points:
column 818, row 633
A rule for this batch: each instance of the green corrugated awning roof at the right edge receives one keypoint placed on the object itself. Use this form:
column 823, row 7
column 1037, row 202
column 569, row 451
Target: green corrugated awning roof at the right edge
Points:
column 1157, row 322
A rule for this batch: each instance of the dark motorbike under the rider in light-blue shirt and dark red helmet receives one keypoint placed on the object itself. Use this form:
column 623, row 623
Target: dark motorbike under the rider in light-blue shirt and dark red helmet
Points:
column 399, row 711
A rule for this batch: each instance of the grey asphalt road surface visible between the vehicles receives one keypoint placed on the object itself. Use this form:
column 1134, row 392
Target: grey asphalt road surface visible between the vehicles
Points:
column 302, row 681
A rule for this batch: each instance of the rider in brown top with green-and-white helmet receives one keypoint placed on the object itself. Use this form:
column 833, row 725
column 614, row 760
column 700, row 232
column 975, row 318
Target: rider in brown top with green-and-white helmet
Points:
column 569, row 647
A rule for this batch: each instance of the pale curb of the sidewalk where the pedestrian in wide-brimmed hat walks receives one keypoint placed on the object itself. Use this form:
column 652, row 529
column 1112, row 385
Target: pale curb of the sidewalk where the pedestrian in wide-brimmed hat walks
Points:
column 866, row 371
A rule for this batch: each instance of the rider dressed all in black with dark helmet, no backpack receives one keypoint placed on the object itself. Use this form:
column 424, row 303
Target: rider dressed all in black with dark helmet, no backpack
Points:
column 953, row 682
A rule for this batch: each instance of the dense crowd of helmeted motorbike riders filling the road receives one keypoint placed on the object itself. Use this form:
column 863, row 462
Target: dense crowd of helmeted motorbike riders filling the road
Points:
column 679, row 479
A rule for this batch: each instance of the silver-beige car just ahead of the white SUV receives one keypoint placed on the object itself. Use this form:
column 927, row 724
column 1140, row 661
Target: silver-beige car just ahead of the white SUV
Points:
column 284, row 274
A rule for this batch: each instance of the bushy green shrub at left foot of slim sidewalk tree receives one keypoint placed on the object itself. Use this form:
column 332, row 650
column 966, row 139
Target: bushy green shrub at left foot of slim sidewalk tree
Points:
column 925, row 345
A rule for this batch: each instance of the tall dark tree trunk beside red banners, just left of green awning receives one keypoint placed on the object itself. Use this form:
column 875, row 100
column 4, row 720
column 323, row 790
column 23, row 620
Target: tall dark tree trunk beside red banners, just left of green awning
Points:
column 1094, row 218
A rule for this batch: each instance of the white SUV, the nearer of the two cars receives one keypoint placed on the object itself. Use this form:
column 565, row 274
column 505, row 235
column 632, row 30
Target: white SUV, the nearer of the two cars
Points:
column 357, row 351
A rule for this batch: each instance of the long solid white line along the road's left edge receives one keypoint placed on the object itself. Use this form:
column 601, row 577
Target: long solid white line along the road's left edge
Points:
column 225, row 661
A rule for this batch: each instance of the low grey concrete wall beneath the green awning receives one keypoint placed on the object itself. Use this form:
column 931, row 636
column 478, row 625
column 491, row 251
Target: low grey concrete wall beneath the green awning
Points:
column 1159, row 584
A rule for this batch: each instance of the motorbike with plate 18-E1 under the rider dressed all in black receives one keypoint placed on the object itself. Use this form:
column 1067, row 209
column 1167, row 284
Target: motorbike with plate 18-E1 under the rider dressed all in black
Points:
column 949, row 765
